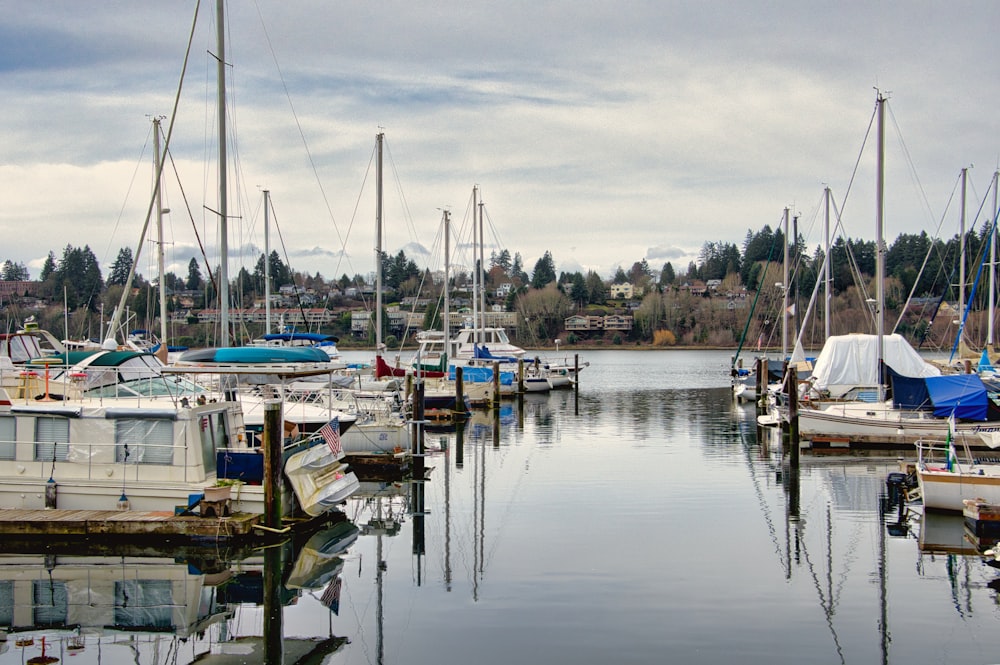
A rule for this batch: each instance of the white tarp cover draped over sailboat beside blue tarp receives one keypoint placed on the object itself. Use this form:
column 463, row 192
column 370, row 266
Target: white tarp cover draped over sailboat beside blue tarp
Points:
column 850, row 361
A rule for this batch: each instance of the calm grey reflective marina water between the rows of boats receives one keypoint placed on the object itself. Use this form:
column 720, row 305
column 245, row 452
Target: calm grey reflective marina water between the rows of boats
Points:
column 642, row 524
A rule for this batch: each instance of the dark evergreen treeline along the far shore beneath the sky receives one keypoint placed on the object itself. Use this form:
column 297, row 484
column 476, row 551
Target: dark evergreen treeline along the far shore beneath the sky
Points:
column 915, row 263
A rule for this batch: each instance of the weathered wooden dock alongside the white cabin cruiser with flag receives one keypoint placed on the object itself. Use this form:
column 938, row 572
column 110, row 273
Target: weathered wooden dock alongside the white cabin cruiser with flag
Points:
column 124, row 524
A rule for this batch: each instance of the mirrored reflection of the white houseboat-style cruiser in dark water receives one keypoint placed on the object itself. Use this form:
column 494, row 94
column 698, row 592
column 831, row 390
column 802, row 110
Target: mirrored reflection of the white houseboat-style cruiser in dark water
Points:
column 177, row 606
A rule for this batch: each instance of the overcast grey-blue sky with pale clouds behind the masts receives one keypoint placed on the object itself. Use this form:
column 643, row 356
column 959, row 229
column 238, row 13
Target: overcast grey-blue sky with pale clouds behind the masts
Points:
column 602, row 132
